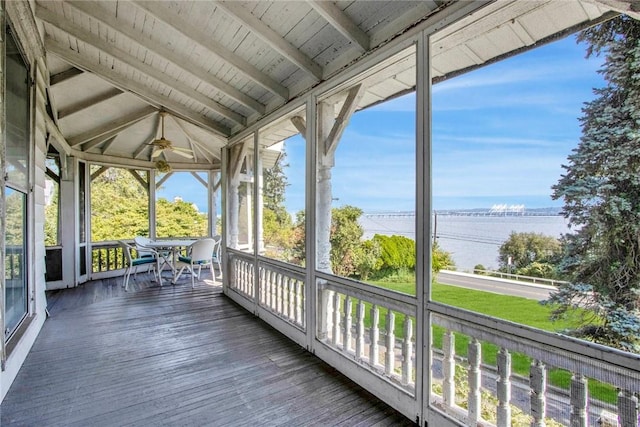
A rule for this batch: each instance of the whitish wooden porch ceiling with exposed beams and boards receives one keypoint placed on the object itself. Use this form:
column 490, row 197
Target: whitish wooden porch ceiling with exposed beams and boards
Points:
column 216, row 67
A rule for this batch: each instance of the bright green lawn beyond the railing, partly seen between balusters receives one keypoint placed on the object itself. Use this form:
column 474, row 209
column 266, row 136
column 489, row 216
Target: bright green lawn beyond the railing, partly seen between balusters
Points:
column 515, row 309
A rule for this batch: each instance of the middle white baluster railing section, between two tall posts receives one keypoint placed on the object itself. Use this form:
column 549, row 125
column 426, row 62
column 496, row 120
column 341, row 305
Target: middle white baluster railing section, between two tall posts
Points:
column 372, row 326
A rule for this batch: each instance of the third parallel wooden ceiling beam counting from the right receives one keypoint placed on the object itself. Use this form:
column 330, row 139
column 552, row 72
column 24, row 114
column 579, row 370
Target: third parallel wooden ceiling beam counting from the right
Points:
column 161, row 13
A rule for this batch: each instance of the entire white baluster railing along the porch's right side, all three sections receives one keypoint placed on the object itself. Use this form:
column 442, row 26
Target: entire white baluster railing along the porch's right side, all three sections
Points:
column 364, row 326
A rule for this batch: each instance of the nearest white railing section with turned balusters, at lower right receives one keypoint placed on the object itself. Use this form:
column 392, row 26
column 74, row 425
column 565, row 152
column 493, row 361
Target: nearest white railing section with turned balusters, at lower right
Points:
column 499, row 390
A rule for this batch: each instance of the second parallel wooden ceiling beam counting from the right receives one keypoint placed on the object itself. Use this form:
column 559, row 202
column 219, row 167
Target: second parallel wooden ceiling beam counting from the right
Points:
column 273, row 39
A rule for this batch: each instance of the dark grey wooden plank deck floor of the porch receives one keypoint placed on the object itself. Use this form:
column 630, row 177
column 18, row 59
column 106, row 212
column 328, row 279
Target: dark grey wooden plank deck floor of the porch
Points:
column 175, row 356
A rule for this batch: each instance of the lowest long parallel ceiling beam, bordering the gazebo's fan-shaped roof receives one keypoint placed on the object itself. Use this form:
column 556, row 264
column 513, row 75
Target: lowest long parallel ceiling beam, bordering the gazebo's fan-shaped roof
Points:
column 158, row 100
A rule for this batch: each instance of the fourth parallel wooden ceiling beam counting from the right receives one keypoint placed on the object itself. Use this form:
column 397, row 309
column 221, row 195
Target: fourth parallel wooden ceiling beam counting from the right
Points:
column 177, row 59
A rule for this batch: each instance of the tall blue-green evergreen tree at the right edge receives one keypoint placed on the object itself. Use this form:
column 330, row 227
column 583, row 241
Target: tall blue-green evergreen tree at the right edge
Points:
column 601, row 193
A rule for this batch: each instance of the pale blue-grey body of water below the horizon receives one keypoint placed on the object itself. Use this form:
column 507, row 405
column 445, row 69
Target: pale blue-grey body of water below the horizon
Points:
column 470, row 239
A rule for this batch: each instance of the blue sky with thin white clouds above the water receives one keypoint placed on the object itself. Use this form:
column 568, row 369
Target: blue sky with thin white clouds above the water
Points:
column 500, row 135
